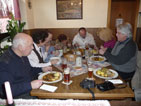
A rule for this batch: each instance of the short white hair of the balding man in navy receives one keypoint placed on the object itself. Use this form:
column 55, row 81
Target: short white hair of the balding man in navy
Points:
column 19, row 41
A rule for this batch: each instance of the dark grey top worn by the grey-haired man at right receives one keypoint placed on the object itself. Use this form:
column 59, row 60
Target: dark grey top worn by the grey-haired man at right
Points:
column 123, row 56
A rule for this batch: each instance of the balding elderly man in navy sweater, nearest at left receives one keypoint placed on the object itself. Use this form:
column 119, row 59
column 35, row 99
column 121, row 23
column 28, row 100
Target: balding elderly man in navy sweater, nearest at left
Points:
column 15, row 68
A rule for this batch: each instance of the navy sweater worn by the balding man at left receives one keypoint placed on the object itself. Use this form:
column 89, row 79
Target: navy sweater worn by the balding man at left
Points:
column 18, row 72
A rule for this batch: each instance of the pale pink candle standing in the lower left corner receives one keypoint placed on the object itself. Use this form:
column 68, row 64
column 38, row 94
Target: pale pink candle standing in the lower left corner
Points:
column 10, row 101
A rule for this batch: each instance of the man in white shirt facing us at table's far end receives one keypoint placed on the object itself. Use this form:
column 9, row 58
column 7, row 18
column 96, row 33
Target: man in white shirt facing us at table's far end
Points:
column 83, row 39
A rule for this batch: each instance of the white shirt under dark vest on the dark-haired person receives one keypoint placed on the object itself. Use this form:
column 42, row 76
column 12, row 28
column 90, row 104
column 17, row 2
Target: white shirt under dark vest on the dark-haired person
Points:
column 33, row 58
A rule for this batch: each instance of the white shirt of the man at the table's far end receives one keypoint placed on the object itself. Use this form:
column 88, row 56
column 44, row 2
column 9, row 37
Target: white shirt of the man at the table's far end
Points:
column 89, row 39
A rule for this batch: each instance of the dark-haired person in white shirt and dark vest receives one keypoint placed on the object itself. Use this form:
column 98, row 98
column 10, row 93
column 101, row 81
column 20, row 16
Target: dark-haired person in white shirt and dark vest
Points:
column 36, row 57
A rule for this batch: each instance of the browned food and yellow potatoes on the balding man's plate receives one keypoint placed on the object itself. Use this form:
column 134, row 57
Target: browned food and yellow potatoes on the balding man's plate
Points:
column 51, row 76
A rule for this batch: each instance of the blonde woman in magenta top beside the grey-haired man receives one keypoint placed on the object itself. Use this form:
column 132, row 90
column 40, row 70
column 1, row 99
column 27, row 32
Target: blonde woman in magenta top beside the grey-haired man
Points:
column 106, row 35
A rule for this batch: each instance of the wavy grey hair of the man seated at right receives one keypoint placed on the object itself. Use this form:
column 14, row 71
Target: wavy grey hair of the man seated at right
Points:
column 126, row 29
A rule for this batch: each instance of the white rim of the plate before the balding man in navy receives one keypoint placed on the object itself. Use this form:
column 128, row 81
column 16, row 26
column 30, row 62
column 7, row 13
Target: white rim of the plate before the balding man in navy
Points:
column 41, row 77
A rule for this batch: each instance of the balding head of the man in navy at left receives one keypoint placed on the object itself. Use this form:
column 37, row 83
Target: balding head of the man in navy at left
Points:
column 22, row 44
